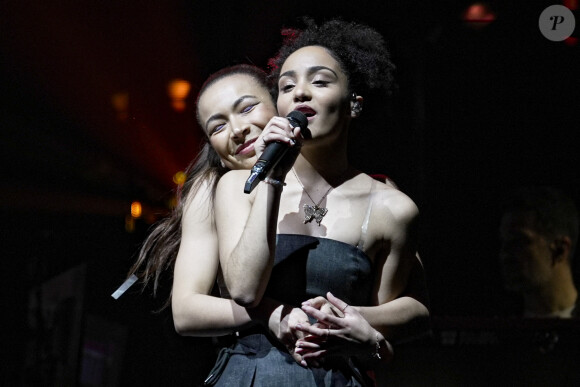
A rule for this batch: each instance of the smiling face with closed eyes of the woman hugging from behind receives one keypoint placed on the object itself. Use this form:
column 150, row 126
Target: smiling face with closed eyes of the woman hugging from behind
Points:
column 232, row 112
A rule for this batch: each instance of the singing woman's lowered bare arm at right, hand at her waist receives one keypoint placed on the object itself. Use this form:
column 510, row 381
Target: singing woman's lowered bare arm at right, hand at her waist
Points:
column 401, row 306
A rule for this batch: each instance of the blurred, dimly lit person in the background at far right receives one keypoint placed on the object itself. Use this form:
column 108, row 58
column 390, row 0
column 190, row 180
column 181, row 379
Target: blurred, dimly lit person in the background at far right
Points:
column 538, row 234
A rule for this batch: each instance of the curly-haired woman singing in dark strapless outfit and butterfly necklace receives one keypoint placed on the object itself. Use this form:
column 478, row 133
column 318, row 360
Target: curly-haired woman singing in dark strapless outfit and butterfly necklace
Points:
column 318, row 229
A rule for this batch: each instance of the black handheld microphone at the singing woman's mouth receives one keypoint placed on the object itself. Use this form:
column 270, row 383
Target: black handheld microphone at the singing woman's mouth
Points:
column 273, row 153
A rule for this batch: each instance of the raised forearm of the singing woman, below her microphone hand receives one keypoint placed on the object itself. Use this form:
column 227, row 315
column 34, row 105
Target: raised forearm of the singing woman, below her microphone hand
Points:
column 248, row 267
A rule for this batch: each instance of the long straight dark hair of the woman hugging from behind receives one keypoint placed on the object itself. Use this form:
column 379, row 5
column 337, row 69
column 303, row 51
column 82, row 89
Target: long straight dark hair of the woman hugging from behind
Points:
column 159, row 250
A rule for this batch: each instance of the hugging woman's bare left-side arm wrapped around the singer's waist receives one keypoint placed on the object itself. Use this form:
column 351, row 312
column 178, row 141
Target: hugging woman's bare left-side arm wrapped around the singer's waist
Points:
column 195, row 312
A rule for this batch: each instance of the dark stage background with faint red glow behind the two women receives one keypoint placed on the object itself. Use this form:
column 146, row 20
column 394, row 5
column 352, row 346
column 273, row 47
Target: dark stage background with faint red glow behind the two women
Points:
column 482, row 108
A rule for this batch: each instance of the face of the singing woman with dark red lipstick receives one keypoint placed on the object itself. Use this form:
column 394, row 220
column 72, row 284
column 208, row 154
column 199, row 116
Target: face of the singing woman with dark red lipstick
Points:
column 311, row 81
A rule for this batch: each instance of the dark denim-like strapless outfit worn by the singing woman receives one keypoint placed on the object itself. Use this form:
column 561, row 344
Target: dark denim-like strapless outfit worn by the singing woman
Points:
column 305, row 267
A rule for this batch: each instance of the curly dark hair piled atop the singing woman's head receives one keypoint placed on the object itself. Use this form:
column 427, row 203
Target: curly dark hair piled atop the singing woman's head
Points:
column 360, row 50
